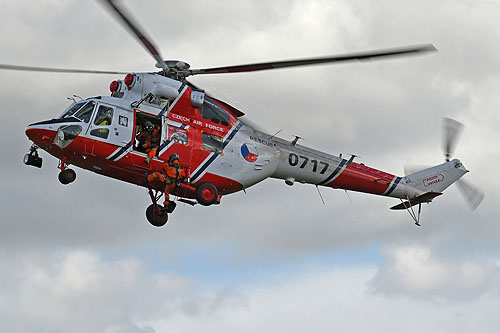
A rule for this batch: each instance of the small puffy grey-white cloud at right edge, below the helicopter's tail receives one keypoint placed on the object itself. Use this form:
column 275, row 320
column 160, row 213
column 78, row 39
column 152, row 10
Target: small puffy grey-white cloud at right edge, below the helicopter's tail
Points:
column 420, row 272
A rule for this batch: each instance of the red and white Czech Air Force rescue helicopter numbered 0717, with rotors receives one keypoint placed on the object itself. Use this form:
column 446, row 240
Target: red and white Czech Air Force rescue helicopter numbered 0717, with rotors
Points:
column 220, row 153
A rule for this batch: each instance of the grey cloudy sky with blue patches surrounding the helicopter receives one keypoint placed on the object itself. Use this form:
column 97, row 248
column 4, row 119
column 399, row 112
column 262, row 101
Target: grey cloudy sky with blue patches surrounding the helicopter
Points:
column 83, row 258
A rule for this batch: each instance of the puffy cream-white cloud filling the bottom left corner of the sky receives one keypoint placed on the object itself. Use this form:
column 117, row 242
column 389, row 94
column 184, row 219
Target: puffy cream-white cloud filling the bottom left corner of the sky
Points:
column 79, row 291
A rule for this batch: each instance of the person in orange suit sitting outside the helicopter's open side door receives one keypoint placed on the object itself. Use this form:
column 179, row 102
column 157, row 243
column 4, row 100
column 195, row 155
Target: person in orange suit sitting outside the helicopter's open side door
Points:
column 172, row 174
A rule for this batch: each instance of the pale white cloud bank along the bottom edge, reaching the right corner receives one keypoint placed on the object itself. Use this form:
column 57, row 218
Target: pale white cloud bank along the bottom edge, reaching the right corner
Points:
column 325, row 299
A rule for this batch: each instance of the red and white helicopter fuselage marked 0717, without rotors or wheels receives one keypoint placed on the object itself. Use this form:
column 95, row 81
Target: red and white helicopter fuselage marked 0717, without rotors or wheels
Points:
column 213, row 144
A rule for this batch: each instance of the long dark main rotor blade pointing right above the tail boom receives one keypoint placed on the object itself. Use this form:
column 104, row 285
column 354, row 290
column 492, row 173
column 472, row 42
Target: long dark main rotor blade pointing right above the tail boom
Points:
column 362, row 56
